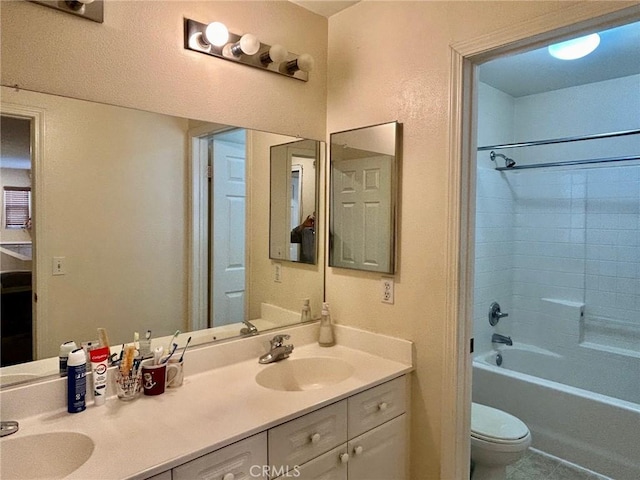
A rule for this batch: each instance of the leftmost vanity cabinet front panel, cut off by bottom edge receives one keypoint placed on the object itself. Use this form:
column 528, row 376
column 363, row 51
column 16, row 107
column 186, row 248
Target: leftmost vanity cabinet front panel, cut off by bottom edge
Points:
column 244, row 460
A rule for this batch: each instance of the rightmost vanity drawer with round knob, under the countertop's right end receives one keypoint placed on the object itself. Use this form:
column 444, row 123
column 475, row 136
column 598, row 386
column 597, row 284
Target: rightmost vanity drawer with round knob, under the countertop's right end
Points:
column 377, row 405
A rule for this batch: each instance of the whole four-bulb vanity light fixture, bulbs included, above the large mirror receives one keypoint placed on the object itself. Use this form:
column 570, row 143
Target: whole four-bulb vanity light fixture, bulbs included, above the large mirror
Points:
column 214, row 39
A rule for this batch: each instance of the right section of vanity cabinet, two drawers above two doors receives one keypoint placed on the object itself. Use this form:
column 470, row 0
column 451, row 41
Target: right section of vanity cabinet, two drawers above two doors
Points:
column 374, row 445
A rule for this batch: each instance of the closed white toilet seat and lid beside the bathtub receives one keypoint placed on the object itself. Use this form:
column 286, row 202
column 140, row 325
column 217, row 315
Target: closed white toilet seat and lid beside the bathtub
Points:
column 495, row 426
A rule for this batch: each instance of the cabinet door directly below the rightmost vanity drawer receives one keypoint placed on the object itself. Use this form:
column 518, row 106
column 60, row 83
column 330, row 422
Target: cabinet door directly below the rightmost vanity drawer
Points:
column 380, row 454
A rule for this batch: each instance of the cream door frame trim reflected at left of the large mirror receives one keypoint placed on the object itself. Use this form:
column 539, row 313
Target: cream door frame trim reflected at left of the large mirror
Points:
column 40, row 320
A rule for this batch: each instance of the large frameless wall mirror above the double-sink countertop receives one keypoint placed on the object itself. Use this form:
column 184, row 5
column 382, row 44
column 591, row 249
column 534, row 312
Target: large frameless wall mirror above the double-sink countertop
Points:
column 139, row 221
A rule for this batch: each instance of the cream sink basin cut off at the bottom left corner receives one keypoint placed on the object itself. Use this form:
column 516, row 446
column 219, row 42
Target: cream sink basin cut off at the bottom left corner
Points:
column 44, row 456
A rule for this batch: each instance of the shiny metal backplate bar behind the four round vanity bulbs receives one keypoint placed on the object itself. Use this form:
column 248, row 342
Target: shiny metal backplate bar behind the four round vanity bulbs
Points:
column 193, row 40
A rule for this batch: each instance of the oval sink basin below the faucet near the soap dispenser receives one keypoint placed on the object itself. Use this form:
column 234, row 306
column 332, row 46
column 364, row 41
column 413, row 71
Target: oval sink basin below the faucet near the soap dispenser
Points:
column 304, row 373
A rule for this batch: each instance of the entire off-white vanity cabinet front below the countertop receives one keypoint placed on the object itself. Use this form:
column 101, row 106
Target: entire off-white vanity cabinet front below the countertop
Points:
column 362, row 437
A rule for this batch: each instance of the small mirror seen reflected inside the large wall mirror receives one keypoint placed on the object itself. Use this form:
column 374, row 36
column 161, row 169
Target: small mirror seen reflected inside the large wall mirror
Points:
column 294, row 201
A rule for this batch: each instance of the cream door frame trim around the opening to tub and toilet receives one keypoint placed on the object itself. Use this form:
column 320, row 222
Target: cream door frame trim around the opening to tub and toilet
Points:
column 545, row 29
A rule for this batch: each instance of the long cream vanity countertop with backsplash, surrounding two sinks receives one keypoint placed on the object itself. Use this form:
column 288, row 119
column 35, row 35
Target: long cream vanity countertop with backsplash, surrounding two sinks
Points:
column 213, row 408
